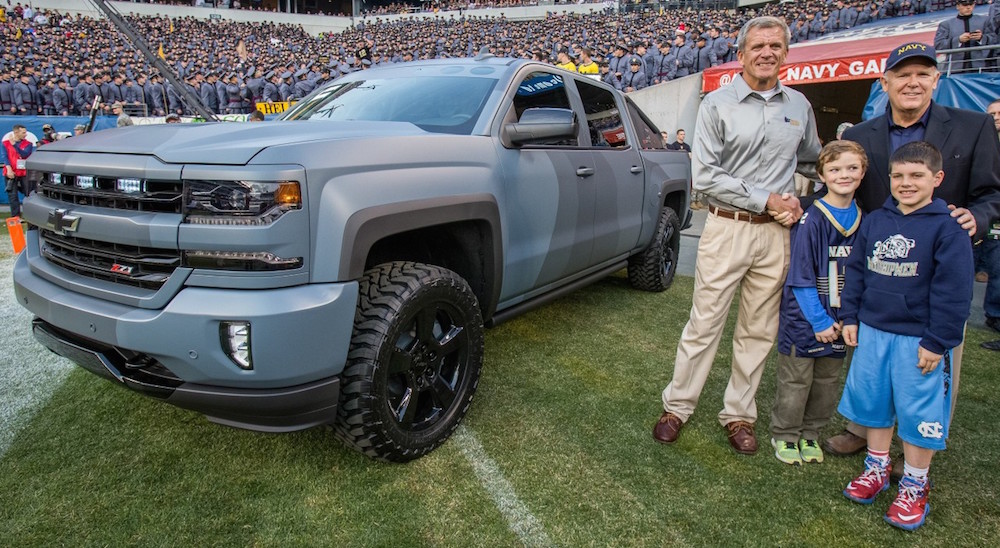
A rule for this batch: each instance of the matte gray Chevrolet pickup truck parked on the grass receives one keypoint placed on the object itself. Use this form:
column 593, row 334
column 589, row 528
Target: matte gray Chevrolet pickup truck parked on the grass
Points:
column 338, row 266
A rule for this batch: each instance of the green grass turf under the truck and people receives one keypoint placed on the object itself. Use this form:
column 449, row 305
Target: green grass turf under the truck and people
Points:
column 565, row 408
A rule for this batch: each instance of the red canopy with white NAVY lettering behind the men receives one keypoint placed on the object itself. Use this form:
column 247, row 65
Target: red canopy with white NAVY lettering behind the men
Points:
column 826, row 61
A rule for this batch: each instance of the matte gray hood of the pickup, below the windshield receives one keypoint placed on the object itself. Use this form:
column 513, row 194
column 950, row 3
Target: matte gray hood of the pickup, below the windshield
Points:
column 224, row 143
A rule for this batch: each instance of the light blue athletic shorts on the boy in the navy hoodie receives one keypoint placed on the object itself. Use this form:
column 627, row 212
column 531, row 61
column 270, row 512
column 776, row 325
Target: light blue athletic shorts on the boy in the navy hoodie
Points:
column 884, row 385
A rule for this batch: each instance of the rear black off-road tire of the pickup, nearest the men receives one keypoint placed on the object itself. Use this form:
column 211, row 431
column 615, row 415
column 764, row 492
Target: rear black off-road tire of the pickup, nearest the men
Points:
column 654, row 268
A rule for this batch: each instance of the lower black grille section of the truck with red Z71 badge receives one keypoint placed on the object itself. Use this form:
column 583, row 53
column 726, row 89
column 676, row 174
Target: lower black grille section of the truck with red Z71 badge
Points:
column 144, row 267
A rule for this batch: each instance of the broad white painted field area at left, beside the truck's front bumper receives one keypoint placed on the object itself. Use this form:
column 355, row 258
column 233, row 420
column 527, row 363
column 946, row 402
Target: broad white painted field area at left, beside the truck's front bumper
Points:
column 29, row 373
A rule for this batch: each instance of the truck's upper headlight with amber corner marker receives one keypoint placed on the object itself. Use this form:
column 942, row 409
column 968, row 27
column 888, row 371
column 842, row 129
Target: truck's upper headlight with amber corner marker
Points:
column 249, row 203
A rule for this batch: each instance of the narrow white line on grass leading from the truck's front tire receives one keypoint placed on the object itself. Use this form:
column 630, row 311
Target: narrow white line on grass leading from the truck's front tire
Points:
column 519, row 518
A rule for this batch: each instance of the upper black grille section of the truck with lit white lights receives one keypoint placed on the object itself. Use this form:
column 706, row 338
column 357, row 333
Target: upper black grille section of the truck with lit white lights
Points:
column 112, row 193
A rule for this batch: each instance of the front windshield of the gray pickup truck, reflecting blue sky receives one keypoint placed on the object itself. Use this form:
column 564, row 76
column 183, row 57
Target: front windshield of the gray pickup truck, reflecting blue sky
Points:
column 439, row 104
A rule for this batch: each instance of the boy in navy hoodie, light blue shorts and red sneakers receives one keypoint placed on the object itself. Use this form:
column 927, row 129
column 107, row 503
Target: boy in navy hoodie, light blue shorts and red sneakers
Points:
column 905, row 308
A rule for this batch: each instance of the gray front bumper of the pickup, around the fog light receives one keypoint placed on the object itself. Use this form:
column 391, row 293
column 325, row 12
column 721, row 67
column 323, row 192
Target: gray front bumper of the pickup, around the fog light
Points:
column 301, row 335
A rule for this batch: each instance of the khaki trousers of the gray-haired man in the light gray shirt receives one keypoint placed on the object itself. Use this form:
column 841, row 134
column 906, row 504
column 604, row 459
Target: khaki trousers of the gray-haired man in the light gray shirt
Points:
column 731, row 254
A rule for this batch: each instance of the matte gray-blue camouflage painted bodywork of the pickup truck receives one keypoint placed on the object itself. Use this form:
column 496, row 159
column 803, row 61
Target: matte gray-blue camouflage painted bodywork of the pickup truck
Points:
column 558, row 216
